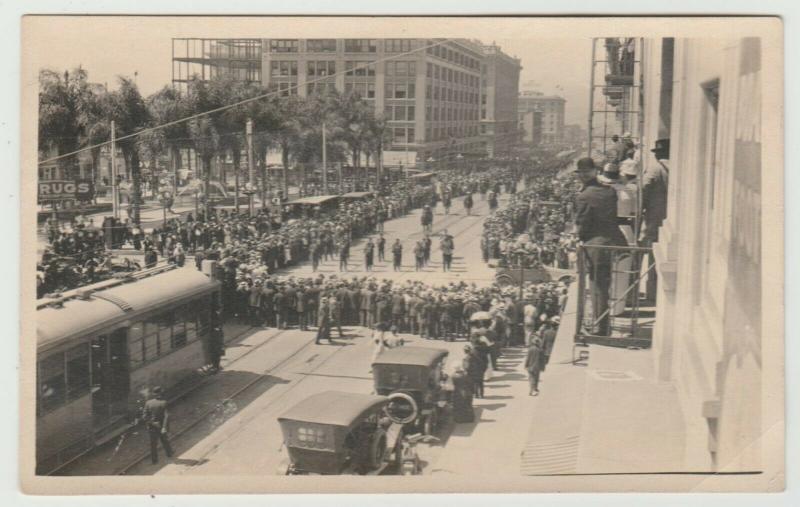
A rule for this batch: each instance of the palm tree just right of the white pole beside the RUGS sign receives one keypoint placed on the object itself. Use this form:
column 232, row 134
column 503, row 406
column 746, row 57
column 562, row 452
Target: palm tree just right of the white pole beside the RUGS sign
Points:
column 129, row 112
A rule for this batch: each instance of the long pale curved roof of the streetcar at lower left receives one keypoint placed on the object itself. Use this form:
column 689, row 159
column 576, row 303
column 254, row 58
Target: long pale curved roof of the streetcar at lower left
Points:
column 80, row 317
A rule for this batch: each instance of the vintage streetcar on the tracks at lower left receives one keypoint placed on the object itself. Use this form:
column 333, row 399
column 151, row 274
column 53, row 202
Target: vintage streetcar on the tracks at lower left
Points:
column 101, row 348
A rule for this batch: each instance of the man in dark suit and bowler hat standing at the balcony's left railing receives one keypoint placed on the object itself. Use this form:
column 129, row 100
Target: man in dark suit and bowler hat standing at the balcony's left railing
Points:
column 596, row 221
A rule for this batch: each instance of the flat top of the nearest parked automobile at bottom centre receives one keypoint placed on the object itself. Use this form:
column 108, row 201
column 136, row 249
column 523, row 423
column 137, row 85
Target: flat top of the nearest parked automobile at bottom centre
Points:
column 334, row 408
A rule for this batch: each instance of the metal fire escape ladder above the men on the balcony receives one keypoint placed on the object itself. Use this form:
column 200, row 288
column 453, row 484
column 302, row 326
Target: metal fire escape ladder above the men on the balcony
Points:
column 615, row 96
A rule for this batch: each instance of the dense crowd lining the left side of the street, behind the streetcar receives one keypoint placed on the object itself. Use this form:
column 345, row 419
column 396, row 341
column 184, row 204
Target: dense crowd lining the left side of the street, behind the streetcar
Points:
column 280, row 238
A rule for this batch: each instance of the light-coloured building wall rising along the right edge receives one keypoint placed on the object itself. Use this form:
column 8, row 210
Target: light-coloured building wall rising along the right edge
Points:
column 707, row 340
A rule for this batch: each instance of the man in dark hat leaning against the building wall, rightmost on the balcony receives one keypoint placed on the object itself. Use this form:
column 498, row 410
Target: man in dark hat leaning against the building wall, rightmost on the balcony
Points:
column 655, row 183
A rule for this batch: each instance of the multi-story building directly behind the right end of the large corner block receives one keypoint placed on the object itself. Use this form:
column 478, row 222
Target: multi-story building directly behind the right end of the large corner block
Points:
column 499, row 95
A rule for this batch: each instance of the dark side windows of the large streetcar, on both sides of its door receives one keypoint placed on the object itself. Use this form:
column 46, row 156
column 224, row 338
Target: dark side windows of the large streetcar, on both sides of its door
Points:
column 67, row 376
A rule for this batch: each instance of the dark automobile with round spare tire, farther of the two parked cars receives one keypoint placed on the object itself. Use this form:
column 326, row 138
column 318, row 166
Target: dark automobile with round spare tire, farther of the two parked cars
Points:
column 413, row 379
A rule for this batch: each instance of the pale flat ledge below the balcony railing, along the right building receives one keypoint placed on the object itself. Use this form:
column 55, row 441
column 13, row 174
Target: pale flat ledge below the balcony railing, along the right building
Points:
column 610, row 416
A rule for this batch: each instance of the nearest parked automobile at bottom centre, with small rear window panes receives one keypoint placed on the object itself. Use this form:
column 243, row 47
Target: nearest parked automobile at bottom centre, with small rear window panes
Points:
column 338, row 433
